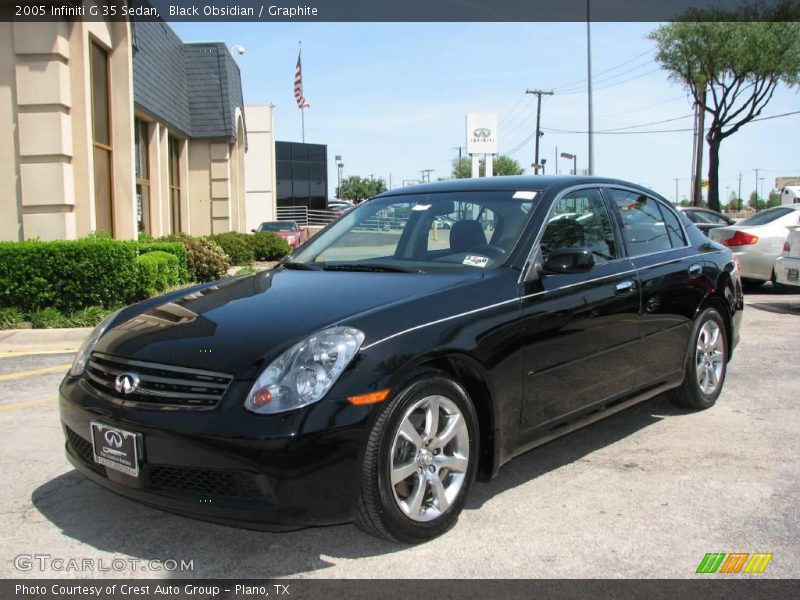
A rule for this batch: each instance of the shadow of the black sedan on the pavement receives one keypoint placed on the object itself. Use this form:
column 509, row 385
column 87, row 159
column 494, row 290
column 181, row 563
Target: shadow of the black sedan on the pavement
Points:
column 93, row 516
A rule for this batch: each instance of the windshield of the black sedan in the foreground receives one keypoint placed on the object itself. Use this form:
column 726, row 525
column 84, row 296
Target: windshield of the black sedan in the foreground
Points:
column 422, row 232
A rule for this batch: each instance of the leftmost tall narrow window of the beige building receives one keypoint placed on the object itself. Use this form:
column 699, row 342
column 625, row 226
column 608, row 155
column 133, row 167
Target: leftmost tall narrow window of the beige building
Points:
column 101, row 140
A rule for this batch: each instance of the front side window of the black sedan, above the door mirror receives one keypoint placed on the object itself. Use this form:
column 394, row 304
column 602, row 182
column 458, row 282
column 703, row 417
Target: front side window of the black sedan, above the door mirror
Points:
column 581, row 220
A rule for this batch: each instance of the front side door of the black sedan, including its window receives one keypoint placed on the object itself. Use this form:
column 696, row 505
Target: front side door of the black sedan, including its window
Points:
column 581, row 330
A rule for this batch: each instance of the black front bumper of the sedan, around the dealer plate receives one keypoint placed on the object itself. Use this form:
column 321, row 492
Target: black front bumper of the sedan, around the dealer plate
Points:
column 226, row 465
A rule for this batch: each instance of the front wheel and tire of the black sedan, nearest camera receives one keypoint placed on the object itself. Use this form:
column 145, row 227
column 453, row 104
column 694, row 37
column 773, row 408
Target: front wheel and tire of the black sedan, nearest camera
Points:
column 417, row 470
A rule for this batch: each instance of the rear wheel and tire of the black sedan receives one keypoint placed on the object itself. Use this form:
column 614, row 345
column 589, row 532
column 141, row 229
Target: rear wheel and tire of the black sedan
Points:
column 706, row 363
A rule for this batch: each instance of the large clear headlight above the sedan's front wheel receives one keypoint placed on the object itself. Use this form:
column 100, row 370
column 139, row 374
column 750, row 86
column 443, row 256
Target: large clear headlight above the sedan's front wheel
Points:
column 305, row 372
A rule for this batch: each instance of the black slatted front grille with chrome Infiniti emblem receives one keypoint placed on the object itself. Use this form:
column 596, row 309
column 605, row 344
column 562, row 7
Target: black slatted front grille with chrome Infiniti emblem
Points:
column 159, row 385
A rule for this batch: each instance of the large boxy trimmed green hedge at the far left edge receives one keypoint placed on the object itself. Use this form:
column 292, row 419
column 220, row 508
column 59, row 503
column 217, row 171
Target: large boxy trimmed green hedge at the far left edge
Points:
column 67, row 275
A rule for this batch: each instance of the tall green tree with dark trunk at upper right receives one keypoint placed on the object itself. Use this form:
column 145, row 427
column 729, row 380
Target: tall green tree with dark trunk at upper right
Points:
column 731, row 63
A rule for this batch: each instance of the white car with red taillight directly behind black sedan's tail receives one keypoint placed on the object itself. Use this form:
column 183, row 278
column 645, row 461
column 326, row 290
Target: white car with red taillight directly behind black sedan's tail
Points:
column 758, row 240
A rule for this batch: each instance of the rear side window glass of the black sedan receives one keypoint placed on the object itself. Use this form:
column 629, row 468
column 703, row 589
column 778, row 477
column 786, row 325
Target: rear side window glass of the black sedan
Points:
column 644, row 226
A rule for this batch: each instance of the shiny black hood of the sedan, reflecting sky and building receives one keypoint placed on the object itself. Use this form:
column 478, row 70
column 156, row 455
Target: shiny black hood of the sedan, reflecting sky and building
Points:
column 232, row 326
